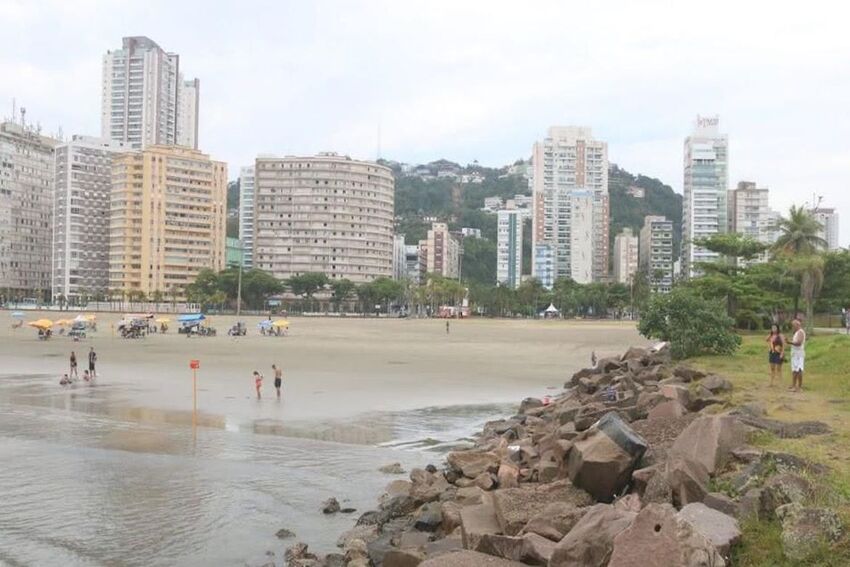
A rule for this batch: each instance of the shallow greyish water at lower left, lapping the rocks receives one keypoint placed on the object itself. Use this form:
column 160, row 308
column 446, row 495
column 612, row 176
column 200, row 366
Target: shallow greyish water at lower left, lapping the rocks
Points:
column 87, row 479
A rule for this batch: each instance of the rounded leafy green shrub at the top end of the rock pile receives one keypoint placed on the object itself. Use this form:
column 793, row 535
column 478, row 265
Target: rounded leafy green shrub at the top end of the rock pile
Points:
column 692, row 325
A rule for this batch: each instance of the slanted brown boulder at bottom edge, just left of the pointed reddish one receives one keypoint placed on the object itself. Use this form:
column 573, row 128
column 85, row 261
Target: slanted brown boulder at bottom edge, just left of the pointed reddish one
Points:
column 590, row 542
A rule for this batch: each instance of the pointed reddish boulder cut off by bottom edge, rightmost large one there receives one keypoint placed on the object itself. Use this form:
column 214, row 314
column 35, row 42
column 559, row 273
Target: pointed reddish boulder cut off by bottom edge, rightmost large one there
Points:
column 659, row 537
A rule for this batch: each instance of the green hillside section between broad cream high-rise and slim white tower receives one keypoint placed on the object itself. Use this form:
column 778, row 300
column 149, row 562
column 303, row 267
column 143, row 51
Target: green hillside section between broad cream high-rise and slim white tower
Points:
column 629, row 211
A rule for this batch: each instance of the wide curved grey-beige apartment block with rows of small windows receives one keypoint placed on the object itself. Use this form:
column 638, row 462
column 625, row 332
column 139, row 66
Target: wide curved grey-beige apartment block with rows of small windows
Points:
column 326, row 213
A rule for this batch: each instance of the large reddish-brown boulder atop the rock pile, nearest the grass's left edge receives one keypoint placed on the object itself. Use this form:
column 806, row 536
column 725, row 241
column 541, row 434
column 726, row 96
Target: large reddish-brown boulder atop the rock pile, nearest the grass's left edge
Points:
column 710, row 440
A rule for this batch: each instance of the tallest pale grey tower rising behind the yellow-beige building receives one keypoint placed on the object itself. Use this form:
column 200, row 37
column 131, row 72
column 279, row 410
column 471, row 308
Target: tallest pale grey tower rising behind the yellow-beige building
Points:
column 141, row 96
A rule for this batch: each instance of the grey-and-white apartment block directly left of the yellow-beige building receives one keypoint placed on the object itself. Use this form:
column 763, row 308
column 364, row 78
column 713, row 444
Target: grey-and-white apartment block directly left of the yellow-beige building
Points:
column 81, row 213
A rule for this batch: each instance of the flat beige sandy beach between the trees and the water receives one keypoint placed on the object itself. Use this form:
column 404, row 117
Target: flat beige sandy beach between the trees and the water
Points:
column 333, row 368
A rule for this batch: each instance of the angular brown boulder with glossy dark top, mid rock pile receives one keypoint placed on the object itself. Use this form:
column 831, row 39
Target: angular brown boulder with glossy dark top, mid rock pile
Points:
column 603, row 458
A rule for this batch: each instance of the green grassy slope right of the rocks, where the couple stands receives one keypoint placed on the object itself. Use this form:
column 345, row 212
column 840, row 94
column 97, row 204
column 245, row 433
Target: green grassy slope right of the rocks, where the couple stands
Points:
column 826, row 397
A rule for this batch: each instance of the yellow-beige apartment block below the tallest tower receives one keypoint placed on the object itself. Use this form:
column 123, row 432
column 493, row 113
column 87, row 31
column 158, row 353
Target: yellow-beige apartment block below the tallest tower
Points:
column 167, row 219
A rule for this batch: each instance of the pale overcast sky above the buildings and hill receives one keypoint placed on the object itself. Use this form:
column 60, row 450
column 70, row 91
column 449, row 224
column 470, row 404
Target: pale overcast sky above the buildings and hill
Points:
column 471, row 80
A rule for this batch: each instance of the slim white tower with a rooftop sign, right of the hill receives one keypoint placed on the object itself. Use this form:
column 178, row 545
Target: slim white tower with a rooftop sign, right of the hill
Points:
column 705, row 186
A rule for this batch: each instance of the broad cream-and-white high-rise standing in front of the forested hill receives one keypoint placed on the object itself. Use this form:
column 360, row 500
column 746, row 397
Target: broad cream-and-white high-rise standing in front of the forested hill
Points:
column 570, row 167
